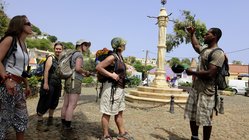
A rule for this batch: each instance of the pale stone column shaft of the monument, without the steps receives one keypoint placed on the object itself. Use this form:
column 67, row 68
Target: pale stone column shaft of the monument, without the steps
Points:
column 160, row 81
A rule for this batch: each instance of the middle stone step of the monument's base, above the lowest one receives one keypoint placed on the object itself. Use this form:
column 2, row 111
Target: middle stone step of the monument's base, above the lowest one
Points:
column 163, row 96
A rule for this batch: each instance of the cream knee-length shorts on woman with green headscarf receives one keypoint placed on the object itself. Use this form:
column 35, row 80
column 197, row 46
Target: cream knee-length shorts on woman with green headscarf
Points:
column 106, row 105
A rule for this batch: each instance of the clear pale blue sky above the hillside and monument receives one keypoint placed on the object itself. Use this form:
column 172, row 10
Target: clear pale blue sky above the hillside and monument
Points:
column 101, row 20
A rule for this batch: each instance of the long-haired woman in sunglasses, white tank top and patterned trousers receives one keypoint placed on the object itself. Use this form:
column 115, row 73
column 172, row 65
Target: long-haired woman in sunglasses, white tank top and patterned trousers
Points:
column 13, row 73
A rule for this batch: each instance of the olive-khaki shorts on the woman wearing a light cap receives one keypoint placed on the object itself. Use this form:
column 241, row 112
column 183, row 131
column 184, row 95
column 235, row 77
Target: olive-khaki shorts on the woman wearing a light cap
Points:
column 73, row 87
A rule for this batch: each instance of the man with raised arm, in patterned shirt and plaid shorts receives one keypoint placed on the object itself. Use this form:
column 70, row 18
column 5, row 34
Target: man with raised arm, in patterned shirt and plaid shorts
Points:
column 201, row 100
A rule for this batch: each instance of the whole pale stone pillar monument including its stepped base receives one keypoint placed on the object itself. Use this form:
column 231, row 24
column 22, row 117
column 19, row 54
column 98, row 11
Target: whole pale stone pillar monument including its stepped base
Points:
column 159, row 91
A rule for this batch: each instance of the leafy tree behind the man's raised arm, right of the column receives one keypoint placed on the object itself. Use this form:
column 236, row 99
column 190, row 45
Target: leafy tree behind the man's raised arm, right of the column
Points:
column 181, row 35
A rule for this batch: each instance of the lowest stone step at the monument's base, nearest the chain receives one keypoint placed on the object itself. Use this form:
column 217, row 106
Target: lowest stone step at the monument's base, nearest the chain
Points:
column 139, row 99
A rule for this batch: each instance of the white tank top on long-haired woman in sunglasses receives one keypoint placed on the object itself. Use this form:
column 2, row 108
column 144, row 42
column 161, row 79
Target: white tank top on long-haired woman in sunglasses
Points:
column 22, row 60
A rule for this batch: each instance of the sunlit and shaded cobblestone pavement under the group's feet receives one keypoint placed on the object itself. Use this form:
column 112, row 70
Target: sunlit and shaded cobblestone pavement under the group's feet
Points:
column 143, row 121
